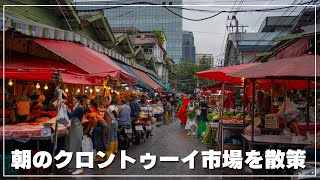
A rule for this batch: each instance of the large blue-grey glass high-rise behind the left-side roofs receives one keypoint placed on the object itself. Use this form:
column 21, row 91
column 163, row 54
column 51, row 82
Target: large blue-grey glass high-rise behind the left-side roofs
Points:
column 145, row 18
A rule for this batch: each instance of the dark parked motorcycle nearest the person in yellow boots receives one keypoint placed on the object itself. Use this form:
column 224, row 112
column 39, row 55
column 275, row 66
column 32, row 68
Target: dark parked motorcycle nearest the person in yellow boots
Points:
column 125, row 135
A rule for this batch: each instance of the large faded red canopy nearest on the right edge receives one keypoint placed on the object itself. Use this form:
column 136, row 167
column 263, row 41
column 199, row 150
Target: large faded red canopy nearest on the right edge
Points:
column 297, row 67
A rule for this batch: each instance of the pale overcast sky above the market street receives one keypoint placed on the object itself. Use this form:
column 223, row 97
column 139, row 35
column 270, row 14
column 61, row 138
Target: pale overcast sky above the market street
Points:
column 209, row 34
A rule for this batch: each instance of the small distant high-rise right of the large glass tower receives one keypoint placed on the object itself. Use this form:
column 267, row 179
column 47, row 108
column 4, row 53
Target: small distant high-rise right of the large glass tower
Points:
column 188, row 48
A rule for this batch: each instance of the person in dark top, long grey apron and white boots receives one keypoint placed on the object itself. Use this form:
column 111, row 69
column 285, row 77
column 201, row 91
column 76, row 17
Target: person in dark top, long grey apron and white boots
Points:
column 75, row 133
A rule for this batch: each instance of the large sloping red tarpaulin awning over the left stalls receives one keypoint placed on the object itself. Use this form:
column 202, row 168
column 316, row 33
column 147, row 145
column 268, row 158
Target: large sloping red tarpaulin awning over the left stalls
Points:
column 93, row 62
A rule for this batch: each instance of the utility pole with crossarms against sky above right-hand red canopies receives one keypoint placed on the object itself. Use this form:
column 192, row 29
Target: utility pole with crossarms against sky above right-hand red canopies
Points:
column 236, row 28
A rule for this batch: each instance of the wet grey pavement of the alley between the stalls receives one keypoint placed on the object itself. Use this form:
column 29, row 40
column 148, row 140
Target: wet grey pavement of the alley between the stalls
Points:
column 167, row 140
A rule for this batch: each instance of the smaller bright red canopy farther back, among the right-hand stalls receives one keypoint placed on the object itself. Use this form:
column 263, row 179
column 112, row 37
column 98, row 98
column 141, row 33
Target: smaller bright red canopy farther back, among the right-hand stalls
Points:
column 220, row 74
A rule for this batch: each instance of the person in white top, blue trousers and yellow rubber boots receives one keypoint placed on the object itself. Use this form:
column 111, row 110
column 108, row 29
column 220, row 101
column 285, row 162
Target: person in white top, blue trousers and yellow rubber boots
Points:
column 113, row 114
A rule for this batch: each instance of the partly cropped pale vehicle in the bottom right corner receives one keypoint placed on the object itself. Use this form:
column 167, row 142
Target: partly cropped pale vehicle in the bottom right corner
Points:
column 311, row 171
